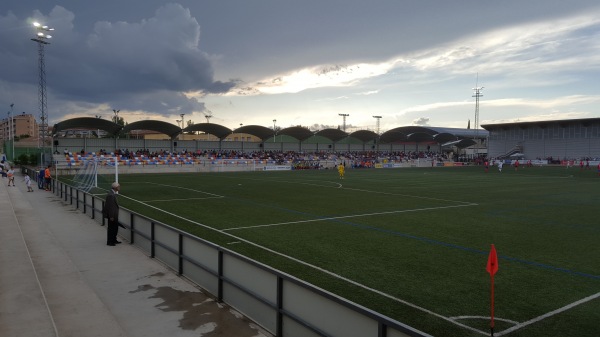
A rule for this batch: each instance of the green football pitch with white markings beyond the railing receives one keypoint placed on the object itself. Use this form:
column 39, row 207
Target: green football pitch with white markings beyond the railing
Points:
column 411, row 244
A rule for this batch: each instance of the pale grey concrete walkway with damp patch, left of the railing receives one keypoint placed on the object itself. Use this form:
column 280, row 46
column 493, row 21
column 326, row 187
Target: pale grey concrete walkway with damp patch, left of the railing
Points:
column 58, row 278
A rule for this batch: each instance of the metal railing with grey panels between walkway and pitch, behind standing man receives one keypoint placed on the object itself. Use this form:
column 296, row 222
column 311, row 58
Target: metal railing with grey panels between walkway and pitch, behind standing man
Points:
column 282, row 304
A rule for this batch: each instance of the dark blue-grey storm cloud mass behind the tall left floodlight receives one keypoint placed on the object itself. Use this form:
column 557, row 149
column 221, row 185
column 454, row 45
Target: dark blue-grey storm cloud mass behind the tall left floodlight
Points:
column 117, row 62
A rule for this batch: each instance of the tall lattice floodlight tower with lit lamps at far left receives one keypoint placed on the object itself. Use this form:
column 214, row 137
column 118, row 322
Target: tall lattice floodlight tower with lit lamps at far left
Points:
column 42, row 39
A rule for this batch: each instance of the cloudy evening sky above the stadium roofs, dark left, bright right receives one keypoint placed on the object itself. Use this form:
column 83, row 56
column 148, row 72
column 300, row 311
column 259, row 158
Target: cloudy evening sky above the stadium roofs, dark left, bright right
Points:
column 250, row 62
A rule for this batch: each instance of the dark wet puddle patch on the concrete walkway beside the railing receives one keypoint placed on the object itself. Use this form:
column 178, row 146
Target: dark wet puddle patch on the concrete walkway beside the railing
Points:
column 201, row 312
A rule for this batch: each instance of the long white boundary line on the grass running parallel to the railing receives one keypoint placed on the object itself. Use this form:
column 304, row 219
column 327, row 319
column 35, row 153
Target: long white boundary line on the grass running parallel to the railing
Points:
column 318, row 268
